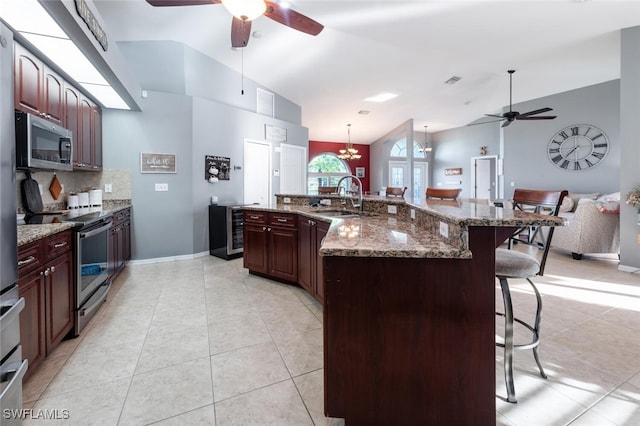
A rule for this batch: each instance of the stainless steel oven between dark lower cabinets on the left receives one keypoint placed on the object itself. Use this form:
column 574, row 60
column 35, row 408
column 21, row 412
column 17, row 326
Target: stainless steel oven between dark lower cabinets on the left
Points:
column 92, row 273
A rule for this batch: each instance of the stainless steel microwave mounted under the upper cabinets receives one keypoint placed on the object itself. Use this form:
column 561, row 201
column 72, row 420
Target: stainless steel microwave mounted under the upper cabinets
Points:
column 42, row 144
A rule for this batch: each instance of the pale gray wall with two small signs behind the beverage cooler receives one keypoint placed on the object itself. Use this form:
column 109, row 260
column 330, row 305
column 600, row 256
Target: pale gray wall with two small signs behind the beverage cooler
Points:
column 179, row 118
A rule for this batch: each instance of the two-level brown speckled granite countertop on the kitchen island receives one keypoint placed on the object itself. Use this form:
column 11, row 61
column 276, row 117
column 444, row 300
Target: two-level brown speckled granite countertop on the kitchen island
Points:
column 375, row 233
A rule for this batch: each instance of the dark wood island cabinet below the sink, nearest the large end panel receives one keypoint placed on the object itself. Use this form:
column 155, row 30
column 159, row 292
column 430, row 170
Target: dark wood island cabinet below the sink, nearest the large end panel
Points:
column 310, row 235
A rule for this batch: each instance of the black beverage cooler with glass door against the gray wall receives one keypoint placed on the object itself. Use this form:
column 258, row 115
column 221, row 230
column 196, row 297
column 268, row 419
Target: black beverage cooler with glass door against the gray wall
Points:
column 225, row 231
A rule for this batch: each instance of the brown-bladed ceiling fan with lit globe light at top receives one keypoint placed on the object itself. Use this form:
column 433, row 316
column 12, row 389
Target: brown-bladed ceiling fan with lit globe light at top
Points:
column 244, row 11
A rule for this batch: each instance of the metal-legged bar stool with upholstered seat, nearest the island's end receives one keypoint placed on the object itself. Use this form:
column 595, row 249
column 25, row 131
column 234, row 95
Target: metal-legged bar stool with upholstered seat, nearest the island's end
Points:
column 512, row 264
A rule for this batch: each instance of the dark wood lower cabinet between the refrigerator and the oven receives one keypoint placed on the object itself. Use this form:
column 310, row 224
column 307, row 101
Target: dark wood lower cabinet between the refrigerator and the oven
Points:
column 45, row 280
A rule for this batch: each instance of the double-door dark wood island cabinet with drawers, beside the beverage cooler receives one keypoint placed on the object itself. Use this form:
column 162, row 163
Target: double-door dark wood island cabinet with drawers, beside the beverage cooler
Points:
column 271, row 245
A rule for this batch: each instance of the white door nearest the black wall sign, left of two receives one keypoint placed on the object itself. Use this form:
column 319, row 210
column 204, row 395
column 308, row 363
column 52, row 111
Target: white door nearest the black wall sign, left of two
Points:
column 257, row 172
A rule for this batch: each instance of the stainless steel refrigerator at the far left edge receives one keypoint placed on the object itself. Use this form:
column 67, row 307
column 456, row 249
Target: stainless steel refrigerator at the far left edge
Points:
column 12, row 366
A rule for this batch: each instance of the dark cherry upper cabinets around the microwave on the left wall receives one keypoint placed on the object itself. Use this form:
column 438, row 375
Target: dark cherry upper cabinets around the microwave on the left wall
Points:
column 40, row 91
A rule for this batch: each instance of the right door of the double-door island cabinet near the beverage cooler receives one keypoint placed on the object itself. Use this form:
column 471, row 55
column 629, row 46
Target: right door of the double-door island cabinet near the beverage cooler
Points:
column 283, row 254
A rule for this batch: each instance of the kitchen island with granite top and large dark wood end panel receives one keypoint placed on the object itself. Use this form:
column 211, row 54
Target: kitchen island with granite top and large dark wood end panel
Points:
column 409, row 309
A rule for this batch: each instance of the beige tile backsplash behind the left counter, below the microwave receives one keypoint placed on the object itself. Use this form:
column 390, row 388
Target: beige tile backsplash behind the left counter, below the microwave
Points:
column 74, row 182
